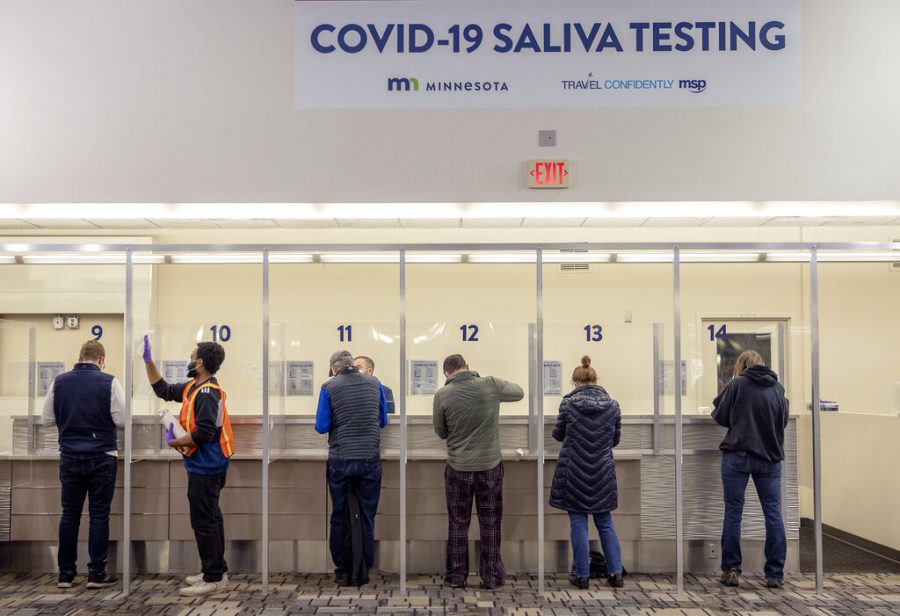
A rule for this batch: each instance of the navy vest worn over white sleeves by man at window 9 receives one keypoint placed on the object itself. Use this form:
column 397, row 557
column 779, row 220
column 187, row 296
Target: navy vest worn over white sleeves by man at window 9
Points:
column 81, row 404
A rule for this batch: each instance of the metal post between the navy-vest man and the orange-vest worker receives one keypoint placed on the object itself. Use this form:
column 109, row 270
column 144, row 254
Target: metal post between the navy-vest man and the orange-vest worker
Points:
column 129, row 392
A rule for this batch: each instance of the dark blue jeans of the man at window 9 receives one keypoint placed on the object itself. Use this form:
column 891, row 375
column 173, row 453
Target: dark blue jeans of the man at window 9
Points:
column 91, row 475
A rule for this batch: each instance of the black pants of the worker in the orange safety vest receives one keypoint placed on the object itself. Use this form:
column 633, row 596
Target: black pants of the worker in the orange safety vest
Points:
column 208, row 524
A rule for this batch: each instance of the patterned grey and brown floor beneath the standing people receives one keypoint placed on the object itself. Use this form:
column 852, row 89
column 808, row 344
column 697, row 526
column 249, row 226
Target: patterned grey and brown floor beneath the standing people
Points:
column 845, row 594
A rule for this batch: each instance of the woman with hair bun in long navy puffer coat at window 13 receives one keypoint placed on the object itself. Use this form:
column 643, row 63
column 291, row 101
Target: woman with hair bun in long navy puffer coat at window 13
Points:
column 589, row 426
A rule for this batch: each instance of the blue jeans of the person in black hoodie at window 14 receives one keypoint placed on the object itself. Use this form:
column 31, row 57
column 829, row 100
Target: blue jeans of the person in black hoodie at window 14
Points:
column 737, row 469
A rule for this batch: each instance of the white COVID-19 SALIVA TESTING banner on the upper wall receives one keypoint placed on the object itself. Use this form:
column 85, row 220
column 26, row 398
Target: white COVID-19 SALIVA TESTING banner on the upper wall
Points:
column 432, row 54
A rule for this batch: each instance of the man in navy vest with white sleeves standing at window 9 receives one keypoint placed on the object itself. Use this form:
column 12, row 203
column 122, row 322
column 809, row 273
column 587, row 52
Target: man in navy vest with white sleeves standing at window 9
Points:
column 86, row 405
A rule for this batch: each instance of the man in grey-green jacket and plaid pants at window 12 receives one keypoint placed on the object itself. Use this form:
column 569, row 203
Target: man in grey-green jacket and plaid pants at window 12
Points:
column 467, row 414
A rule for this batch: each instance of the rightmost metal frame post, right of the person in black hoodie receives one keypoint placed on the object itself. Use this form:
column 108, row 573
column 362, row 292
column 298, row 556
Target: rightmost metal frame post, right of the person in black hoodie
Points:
column 816, row 425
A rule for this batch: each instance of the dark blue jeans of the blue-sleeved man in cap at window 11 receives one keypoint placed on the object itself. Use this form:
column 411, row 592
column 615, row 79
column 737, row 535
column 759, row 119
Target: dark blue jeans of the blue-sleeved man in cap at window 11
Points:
column 365, row 477
